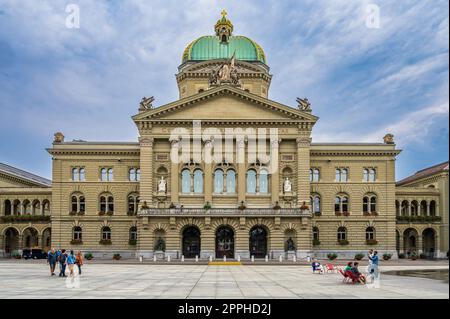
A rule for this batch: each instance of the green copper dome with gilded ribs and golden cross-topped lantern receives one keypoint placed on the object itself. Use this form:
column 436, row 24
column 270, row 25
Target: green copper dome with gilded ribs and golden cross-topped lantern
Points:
column 223, row 45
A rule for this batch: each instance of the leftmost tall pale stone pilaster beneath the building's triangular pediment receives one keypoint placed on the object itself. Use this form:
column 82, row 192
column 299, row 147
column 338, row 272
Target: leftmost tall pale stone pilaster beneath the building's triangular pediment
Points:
column 146, row 166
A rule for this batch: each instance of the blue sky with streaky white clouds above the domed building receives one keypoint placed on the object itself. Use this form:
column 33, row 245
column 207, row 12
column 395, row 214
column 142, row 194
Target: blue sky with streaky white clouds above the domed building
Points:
column 88, row 82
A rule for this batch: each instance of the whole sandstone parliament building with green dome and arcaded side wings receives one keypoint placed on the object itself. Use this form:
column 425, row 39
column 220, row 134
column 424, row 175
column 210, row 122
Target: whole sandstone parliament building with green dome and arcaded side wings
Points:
column 225, row 171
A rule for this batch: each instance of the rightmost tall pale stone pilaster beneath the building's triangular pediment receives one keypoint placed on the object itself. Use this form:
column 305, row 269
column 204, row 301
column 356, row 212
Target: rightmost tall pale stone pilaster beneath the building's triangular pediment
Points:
column 303, row 166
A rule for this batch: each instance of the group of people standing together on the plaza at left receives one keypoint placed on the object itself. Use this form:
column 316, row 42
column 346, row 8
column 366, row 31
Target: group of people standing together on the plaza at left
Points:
column 64, row 259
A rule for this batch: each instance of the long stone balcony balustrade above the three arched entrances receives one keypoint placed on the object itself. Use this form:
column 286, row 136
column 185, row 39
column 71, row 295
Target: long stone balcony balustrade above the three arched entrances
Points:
column 226, row 212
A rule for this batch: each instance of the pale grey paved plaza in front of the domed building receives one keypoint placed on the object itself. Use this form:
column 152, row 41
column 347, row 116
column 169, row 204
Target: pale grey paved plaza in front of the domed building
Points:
column 31, row 280
